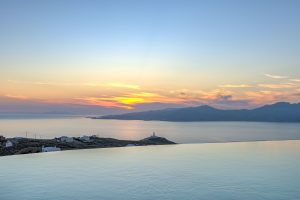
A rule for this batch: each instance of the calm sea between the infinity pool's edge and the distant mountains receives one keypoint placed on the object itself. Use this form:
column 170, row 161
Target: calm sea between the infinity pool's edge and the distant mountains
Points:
column 181, row 132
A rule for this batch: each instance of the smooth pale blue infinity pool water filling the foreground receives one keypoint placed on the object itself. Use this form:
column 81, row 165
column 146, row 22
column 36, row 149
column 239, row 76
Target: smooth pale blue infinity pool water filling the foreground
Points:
column 220, row 171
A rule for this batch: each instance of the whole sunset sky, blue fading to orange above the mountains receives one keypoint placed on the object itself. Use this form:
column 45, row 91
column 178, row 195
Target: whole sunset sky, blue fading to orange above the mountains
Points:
column 139, row 55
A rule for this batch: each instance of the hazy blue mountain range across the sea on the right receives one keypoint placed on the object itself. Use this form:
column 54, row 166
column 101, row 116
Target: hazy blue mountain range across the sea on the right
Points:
column 278, row 112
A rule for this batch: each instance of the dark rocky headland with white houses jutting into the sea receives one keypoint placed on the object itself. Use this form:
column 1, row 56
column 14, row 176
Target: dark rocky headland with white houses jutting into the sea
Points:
column 17, row 145
